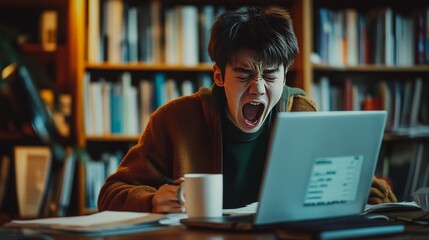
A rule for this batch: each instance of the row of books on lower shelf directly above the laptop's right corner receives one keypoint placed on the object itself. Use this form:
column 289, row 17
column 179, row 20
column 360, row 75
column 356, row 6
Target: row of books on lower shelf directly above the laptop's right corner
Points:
column 406, row 102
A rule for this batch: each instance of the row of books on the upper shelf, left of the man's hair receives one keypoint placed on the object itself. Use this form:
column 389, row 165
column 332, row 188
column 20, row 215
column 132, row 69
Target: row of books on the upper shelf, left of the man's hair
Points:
column 119, row 31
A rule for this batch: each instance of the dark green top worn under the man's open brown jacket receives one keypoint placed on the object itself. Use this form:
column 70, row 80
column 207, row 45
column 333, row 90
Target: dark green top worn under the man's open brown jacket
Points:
column 244, row 157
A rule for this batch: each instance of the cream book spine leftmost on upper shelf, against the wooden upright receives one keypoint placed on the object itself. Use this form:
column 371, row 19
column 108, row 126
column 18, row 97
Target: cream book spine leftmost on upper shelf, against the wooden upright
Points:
column 93, row 46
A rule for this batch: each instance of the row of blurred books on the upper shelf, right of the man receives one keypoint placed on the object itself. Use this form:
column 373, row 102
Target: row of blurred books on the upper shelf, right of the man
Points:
column 379, row 36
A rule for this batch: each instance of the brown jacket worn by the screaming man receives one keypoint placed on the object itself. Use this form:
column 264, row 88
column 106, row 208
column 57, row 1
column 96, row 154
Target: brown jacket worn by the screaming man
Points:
column 183, row 136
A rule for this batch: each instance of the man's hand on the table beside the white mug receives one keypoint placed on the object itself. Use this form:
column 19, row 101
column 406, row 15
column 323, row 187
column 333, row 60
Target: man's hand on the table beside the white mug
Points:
column 165, row 199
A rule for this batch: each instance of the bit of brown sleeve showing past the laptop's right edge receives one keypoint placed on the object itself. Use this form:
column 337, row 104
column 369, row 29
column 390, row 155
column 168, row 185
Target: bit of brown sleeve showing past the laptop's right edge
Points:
column 381, row 192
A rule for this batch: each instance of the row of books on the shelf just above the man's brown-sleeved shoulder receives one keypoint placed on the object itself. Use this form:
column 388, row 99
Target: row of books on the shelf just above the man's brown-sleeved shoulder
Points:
column 124, row 106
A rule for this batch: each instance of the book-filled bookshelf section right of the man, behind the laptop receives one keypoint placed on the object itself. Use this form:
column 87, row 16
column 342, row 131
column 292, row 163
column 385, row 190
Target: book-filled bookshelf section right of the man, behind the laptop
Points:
column 380, row 61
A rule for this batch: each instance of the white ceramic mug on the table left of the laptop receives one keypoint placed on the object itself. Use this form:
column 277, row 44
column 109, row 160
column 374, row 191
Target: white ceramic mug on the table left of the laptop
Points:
column 201, row 194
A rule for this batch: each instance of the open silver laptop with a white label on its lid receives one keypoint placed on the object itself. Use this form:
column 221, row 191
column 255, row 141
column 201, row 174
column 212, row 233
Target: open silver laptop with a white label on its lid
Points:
column 319, row 166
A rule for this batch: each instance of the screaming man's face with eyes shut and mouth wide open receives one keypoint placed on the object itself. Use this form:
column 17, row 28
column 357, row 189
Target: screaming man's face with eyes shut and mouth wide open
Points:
column 252, row 90
